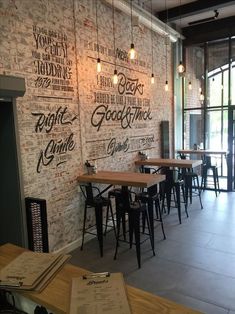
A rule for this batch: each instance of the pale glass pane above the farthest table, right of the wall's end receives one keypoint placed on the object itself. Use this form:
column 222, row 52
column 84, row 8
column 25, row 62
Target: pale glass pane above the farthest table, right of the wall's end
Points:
column 193, row 128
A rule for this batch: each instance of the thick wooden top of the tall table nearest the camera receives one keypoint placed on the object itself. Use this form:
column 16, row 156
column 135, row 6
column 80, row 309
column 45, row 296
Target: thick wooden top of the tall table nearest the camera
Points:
column 122, row 178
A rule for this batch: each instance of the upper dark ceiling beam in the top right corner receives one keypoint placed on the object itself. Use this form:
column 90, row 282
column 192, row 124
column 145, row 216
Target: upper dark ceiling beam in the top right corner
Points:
column 192, row 8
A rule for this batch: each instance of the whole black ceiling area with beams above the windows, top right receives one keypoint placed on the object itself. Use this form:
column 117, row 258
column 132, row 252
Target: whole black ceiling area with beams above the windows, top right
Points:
column 197, row 29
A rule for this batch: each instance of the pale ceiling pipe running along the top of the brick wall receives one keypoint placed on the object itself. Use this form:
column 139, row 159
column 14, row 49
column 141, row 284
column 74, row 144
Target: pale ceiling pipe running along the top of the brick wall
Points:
column 145, row 19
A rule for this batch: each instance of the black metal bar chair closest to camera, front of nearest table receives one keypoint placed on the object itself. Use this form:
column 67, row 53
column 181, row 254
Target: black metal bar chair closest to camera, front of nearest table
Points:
column 134, row 210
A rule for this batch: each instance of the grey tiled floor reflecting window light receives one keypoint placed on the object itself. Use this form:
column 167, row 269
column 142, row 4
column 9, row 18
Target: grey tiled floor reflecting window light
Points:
column 194, row 266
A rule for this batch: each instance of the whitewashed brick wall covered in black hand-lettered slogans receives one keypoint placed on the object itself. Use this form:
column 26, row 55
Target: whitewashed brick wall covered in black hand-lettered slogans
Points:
column 69, row 113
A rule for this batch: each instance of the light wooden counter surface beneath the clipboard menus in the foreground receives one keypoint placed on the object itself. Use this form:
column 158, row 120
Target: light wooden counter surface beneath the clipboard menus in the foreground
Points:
column 56, row 295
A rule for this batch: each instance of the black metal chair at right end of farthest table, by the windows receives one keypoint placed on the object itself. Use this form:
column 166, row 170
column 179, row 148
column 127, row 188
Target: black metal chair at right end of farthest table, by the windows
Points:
column 206, row 167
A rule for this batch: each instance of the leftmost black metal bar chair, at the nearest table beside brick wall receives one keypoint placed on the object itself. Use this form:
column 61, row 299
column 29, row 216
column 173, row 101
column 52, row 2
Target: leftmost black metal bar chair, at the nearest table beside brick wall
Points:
column 97, row 202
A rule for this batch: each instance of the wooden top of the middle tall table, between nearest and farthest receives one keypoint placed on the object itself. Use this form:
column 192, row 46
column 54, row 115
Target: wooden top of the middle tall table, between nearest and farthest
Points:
column 162, row 162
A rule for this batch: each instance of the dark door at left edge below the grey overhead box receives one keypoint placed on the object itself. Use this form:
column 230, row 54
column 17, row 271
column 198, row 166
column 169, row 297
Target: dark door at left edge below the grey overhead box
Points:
column 11, row 218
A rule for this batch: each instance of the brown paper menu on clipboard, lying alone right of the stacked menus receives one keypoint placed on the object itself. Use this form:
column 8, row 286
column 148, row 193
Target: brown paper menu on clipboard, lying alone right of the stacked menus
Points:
column 99, row 295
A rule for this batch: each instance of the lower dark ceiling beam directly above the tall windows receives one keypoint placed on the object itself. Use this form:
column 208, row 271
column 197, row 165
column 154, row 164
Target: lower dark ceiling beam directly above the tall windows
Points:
column 205, row 32
